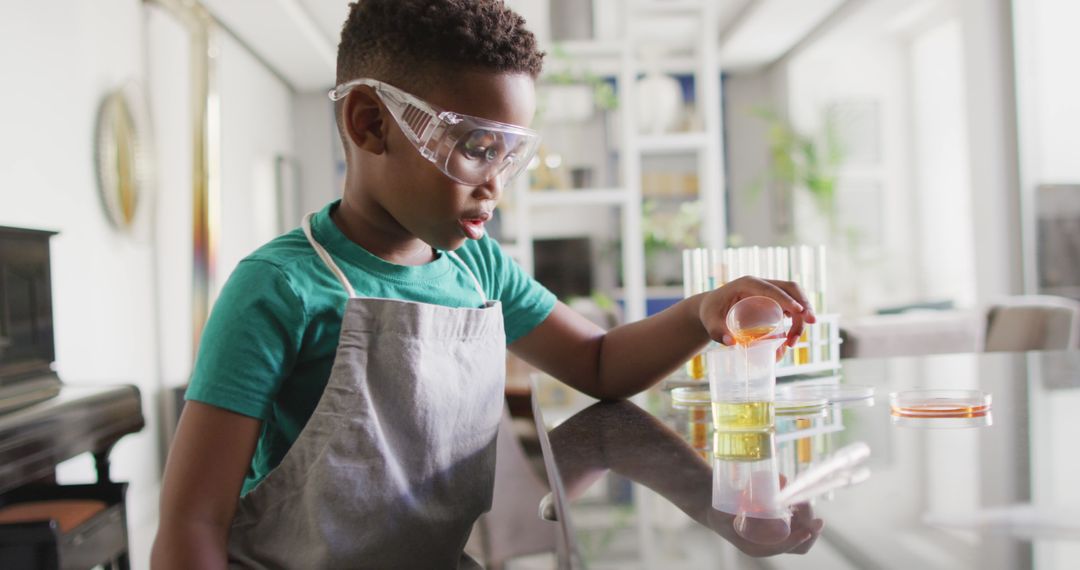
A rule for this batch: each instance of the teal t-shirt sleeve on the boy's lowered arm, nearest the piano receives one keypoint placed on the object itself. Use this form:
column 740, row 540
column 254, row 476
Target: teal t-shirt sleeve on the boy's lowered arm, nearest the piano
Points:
column 250, row 343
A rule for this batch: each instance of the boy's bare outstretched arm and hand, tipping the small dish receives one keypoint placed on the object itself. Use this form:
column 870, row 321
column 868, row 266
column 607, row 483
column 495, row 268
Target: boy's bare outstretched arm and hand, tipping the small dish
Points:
column 631, row 358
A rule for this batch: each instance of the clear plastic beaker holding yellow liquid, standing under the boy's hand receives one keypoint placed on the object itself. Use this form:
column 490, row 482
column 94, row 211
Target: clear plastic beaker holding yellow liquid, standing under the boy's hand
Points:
column 742, row 382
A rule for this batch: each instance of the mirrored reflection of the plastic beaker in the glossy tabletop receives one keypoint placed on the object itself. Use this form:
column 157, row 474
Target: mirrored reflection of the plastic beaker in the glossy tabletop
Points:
column 747, row 484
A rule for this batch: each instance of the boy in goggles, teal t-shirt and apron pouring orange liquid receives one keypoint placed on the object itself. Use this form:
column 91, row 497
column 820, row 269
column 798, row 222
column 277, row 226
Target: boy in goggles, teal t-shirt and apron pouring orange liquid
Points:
column 349, row 384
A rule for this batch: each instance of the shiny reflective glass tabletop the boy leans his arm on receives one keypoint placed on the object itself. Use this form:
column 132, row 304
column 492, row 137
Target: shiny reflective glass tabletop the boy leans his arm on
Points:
column 1000, row 490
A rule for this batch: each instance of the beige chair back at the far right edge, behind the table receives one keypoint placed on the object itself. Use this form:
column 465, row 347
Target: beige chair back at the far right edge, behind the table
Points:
column 1033, row 322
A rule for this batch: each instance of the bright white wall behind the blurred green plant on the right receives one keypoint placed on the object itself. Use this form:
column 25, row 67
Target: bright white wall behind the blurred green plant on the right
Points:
column 859, row 65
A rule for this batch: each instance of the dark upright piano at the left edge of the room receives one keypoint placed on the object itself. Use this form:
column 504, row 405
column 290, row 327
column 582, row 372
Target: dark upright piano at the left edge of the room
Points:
column 45, row 423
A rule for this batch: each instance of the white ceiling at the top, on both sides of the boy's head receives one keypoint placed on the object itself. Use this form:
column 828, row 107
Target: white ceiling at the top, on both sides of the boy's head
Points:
column 299, row 38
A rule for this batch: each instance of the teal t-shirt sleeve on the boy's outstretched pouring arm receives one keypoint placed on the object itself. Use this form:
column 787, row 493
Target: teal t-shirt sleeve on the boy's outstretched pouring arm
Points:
column 525, row 302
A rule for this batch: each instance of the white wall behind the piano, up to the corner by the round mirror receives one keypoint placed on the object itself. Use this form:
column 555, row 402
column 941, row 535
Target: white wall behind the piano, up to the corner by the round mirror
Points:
column 60, row 59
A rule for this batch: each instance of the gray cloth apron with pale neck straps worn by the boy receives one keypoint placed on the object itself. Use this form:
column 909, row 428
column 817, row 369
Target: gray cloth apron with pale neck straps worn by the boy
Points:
column 398, row 460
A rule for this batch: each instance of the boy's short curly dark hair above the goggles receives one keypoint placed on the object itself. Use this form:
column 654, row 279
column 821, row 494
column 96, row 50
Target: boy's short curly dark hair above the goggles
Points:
column 415, row 44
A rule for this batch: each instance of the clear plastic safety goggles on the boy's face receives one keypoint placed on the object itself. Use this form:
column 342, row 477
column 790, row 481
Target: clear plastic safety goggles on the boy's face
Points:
column 468, row 150
